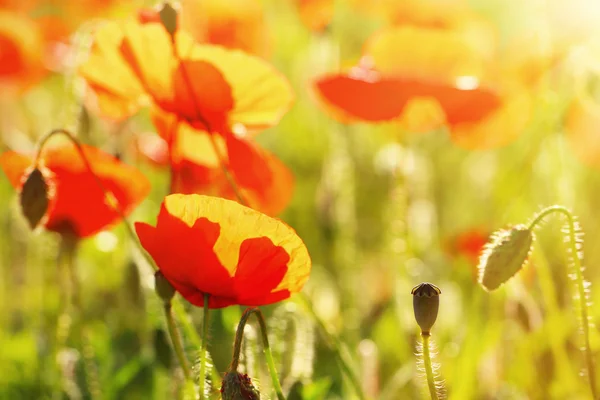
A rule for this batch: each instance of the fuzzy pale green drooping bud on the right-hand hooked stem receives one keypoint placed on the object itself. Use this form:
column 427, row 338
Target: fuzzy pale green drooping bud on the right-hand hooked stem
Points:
column 504, row 256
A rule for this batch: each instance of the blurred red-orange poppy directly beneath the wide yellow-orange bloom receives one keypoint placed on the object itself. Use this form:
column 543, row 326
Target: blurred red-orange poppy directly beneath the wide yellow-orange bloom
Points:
column 263, row 180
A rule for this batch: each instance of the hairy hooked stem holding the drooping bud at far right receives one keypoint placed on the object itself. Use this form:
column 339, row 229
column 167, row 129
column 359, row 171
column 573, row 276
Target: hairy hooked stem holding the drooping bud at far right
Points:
column 581, row 291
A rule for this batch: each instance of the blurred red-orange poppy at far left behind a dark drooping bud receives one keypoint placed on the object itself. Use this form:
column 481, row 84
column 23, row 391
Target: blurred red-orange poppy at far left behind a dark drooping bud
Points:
column 79, row 206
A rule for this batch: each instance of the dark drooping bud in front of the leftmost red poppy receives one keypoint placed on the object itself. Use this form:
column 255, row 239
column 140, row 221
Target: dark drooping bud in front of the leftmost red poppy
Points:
column 35, row 197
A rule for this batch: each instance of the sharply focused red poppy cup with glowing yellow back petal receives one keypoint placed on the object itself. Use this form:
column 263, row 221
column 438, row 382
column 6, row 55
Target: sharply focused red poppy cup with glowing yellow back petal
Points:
column 208, row 245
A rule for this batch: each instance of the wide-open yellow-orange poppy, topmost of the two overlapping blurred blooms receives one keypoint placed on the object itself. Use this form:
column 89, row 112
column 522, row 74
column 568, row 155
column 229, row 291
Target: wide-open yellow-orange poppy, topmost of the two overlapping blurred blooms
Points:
column 207, row 86
